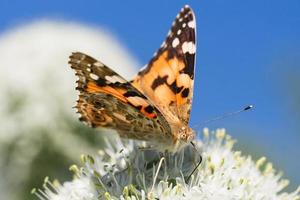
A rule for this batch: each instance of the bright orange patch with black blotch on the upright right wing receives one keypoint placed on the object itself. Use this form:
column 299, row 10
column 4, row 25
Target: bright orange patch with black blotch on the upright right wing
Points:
column 161, row 83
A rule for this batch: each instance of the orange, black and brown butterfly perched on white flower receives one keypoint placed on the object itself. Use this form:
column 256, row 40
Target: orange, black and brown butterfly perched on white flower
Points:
column 155, row 106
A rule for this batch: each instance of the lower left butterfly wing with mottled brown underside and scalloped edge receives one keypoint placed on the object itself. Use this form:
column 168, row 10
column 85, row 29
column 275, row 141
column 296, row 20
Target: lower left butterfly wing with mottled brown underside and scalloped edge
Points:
column 108, row 100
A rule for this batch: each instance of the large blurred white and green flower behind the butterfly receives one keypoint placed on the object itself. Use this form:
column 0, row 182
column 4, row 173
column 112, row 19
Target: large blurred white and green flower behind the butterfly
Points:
column 39, row 132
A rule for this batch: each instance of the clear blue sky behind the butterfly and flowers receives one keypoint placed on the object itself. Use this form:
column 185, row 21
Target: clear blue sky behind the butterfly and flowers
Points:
column 244, row 49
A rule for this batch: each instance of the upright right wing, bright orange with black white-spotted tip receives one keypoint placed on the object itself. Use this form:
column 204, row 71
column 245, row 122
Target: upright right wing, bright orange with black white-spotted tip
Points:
column 168, row 78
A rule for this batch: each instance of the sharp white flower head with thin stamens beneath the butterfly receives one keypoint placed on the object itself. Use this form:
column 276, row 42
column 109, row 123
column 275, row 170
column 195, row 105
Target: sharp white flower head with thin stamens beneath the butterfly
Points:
column 124, row 171
